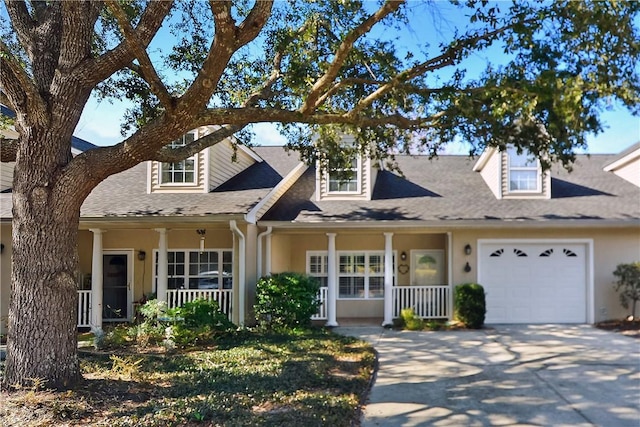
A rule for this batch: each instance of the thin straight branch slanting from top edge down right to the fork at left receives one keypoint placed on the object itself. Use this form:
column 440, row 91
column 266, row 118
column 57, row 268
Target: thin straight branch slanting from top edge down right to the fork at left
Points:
column 146, row 68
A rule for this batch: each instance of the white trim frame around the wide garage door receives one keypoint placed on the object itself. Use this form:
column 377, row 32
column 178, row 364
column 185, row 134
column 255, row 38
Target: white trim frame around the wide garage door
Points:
column 590, row 289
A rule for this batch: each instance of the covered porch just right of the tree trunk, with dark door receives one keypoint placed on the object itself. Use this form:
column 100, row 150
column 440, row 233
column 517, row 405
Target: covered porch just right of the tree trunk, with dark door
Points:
column 123, row 267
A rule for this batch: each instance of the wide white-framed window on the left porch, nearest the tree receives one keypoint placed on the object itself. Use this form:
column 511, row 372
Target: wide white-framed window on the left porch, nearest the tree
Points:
column 198, row 270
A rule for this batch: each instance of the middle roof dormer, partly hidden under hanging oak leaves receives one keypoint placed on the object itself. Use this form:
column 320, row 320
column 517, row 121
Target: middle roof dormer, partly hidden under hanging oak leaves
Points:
column 353, row 182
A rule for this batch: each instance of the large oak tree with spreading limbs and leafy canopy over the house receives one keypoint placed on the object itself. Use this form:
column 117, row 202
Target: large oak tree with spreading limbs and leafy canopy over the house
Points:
column 319, row 68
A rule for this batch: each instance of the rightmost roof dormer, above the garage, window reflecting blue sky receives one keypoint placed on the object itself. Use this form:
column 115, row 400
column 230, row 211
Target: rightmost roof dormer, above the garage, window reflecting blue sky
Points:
column 513, row 175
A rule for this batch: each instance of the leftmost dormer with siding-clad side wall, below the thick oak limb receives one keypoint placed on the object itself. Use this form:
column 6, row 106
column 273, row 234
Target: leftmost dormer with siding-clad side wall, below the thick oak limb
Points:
column 202, row 172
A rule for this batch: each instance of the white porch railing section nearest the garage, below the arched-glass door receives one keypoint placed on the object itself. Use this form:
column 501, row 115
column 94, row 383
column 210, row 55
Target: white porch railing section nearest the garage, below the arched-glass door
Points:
column 428, row 302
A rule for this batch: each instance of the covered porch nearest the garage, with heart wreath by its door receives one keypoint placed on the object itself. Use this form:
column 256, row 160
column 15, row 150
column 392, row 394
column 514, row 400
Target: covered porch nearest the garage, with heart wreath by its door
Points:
column 370, row 273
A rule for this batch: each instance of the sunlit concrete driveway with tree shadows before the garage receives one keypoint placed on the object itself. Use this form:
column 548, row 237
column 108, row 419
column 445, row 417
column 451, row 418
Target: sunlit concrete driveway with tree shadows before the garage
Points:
column 533, row 375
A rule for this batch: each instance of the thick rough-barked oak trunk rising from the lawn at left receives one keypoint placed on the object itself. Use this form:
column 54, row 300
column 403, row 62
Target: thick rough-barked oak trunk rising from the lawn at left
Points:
column 42, row 340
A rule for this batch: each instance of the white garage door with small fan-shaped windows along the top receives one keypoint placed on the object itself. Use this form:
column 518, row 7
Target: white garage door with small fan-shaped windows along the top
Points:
column 534, row 282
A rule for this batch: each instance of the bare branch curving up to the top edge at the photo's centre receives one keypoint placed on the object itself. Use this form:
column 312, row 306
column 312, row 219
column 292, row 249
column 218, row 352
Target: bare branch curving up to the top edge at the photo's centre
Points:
column 311, row 103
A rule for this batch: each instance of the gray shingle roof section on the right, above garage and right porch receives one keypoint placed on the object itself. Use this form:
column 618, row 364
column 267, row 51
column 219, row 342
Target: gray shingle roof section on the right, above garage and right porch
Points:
column 446, row 189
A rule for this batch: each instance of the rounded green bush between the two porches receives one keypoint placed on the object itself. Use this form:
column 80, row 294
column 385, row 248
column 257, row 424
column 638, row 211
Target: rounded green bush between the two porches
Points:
column 286, row 300
